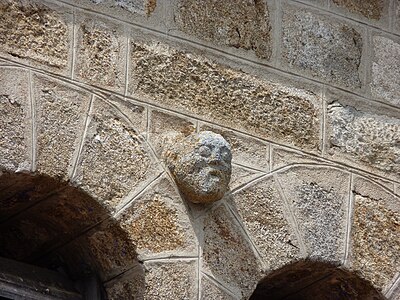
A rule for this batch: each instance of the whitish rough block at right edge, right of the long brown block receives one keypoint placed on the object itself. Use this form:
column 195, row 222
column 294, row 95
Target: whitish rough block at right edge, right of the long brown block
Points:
column 364, row 139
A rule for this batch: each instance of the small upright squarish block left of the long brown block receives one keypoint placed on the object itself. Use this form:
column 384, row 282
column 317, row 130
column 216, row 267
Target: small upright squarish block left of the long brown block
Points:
column 101, row 52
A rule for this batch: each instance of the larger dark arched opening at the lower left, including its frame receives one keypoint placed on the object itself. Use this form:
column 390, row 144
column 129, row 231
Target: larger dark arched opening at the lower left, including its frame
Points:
column 56, row 242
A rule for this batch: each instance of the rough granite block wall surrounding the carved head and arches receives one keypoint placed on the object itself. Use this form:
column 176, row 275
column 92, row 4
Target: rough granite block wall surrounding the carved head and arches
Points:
column 306, row 92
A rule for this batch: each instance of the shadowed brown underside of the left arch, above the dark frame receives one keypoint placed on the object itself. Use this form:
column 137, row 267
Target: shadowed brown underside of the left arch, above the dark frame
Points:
column 56, row 226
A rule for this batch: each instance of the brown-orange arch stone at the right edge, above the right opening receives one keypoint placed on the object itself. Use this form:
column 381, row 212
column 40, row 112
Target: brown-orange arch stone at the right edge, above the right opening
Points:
column 375, row 233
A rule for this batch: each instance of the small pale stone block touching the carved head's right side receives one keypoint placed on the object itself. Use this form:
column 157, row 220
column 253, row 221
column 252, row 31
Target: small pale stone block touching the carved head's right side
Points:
column 246, row 150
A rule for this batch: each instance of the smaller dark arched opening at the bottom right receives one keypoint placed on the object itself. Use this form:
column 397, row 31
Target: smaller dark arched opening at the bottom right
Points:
column 306, row 280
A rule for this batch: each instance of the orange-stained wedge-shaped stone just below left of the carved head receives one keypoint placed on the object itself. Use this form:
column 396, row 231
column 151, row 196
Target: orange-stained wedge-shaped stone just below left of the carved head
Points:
column 157, row 223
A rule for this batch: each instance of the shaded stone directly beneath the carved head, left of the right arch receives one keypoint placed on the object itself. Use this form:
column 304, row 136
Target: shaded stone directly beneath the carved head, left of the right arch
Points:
column 225, row 251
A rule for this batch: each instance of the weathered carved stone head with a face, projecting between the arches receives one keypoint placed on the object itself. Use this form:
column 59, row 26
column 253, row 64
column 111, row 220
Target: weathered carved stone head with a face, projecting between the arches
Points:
column 201, row 166
